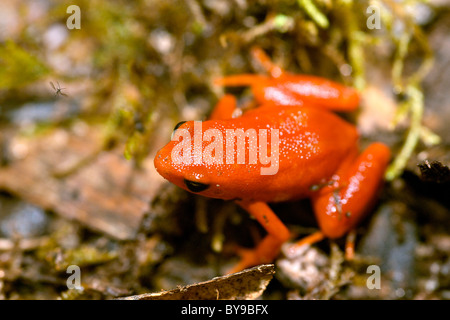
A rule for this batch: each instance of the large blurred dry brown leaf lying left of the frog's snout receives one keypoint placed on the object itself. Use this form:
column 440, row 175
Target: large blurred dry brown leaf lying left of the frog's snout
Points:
column 106, row 194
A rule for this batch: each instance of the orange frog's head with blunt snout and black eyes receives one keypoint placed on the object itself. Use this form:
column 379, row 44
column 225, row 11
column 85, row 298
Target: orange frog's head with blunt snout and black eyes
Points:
column 183, row 161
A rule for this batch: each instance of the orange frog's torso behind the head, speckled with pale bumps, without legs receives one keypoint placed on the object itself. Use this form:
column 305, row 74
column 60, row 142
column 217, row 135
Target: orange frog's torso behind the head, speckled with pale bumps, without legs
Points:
column 312, row 145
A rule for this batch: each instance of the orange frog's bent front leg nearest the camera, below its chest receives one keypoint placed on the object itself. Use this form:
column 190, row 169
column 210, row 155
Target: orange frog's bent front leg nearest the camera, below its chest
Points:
column 268, row 249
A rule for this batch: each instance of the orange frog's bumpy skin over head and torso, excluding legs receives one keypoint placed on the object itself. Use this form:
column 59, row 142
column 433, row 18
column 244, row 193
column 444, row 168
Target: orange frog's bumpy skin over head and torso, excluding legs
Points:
column 309, row 154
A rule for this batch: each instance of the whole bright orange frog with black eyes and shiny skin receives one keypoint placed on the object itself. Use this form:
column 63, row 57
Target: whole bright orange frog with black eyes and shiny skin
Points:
column 313, row 154
